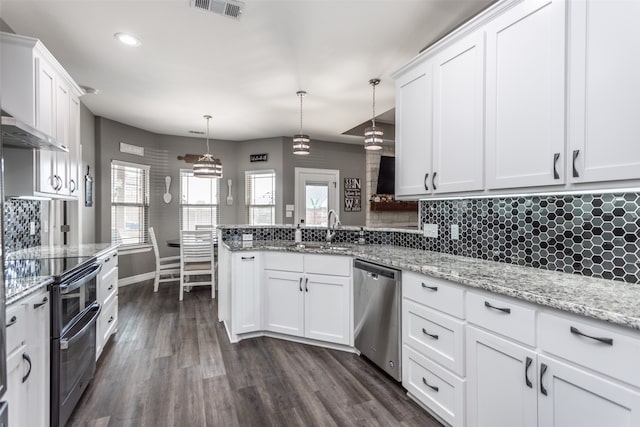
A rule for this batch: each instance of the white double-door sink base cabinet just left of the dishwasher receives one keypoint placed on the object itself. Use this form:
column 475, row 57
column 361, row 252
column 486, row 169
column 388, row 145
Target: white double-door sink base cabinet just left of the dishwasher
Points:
column 303, row 303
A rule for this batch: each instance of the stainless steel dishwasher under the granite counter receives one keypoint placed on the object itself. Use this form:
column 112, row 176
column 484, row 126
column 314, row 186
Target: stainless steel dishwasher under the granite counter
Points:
column 377, row 298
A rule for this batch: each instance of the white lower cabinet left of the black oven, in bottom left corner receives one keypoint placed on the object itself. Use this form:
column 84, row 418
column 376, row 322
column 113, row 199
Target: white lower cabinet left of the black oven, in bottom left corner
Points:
column 28, row 361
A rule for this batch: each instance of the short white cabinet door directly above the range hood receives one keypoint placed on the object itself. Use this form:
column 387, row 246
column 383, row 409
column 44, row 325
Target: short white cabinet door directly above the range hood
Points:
column 45, row 96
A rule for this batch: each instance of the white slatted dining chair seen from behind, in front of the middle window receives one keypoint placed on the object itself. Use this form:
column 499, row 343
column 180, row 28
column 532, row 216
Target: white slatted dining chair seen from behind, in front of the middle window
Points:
column 197, row 266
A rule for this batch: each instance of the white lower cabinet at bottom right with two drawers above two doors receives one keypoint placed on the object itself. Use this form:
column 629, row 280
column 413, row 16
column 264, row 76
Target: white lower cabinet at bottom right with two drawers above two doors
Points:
column 547, row 369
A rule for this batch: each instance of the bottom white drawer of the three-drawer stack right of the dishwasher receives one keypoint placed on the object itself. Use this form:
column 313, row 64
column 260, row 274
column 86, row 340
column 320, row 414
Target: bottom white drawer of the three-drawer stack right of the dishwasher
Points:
column 435, row 387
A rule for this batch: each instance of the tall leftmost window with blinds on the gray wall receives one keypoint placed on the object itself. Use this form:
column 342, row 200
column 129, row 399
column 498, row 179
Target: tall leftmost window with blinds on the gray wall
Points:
column 129, row 203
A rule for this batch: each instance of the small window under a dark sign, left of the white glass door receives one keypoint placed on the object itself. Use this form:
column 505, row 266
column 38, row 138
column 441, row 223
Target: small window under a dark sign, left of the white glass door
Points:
column 260, row 190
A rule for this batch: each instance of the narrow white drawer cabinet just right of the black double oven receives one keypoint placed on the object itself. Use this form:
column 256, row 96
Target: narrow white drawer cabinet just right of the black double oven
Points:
column 107, row 288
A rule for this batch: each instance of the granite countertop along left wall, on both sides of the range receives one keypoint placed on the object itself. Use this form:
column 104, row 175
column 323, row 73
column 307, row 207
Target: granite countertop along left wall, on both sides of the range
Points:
column 18, row 288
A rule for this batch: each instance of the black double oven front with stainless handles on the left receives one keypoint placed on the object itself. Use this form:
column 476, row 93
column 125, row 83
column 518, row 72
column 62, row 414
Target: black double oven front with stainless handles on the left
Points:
column 74, row 312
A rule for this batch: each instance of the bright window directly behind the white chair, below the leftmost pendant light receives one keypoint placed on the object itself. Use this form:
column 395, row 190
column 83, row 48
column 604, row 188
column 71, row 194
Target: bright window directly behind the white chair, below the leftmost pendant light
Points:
column 199, row 200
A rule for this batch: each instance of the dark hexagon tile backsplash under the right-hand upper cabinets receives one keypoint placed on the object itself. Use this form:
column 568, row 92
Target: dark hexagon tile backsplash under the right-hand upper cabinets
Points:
column 592, row 235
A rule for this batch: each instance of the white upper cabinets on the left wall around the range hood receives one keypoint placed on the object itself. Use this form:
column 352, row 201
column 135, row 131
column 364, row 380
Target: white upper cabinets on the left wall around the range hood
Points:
column 37, row 90
